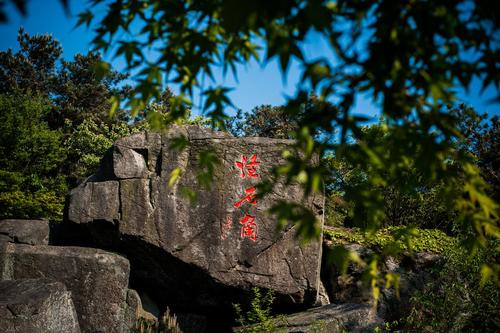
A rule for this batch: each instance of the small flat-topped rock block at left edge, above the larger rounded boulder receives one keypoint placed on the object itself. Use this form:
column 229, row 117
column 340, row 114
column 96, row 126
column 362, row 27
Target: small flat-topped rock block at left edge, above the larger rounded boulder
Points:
column 32, row 232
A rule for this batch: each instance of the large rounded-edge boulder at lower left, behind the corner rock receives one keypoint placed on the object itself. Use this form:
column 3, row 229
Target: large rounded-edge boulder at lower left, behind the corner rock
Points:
column 97, row 279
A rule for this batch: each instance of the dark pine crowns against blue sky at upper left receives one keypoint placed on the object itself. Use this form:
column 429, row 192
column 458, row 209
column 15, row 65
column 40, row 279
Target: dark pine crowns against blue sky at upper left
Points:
column 75, row 90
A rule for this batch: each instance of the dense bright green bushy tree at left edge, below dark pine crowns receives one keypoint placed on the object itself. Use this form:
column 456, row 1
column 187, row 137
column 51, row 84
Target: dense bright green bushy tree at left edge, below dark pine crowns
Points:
column 31, row 157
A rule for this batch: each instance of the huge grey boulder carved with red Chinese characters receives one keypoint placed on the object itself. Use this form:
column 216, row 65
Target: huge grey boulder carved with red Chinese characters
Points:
column 200, row 253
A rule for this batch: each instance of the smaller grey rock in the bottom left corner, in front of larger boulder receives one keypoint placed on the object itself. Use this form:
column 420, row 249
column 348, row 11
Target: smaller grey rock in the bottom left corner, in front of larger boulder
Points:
column 36, row 306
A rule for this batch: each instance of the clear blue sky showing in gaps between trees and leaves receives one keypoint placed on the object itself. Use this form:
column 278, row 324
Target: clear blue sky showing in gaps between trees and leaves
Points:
column 255, row 86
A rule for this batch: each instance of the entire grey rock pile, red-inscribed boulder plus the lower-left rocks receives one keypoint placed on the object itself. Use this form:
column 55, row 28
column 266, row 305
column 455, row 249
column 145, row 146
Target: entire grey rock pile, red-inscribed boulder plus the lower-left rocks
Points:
column 196, row 257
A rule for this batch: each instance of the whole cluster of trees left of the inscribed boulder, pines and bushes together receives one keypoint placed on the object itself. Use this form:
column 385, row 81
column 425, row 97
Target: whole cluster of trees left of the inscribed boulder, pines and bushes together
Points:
column 55, row 124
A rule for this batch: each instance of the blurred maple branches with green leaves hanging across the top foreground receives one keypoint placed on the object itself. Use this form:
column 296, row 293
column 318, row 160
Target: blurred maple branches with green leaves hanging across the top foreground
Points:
column 407, row 56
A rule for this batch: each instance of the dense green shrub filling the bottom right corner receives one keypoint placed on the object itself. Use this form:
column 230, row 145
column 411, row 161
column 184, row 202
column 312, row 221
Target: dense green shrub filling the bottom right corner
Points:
column 455, row 300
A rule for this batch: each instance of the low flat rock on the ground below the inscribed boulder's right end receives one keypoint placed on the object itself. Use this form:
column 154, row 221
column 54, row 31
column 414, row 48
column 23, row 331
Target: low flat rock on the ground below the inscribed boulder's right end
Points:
column 332, row 318
